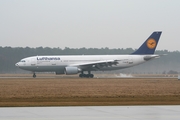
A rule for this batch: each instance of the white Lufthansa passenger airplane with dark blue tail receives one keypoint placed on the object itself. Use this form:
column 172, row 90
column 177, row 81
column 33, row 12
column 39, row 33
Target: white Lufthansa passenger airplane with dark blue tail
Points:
column 78, row 64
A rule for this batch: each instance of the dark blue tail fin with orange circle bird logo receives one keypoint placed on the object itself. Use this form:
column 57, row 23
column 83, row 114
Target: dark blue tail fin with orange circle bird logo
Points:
column 149, row 46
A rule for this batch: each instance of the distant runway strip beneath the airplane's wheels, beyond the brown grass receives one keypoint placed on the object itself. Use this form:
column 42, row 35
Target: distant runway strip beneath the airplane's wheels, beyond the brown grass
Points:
column 108, row 76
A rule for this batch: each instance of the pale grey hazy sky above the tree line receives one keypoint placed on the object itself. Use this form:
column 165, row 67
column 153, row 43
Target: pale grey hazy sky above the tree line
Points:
column 89, row 23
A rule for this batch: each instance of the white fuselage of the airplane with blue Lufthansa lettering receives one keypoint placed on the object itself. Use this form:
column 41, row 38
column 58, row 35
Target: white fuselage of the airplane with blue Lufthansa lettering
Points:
column 58, row 63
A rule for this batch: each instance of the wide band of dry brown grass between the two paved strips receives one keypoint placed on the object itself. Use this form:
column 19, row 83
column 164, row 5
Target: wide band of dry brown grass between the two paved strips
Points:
column 88, row 92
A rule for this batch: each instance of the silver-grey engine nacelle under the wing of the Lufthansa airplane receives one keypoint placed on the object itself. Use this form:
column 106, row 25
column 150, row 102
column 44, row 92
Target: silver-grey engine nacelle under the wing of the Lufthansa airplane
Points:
column 71, row 70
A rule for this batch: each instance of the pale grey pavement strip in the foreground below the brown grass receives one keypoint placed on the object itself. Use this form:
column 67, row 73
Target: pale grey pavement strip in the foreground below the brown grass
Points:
column 91, row 113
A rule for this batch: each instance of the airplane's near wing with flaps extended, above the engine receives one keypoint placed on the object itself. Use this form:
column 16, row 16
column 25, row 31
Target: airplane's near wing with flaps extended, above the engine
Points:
column 96, row 64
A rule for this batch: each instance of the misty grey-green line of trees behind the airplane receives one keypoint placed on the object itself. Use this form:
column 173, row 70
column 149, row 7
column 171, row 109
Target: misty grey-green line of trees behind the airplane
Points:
column 11, row 55
